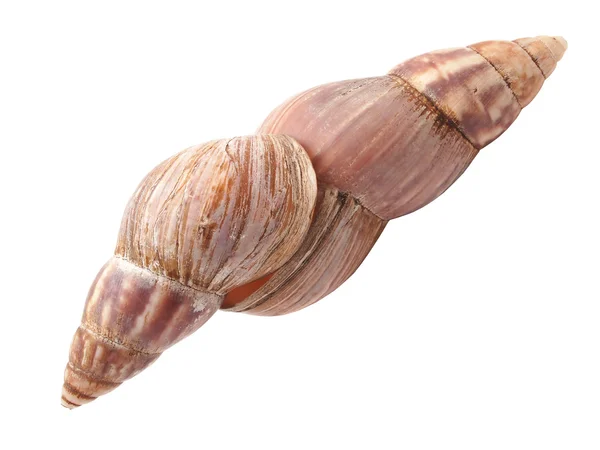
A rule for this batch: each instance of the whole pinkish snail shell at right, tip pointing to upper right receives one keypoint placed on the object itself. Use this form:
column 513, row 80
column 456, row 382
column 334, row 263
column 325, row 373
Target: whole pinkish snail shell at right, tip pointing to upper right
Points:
column 383, row 147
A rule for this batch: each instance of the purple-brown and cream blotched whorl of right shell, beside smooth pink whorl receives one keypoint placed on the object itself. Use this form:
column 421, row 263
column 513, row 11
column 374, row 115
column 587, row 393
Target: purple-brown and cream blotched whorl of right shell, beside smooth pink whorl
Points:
column 466, row 88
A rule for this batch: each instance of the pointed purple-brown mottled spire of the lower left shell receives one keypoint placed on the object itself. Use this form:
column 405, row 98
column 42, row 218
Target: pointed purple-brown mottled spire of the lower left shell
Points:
column 131, row 316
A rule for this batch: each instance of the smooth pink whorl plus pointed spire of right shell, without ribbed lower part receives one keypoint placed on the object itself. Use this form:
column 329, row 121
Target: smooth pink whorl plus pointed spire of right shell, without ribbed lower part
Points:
column 397, row 142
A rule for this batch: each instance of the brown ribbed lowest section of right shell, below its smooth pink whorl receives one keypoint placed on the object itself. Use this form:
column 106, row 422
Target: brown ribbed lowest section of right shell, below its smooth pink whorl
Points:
column 341, row 236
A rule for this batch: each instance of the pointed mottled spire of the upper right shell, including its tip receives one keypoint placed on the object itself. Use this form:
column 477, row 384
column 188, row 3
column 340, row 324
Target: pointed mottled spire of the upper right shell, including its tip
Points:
column 482, row 88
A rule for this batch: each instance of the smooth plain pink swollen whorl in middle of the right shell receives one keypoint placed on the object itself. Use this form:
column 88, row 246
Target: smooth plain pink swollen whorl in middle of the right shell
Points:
column 377, row 139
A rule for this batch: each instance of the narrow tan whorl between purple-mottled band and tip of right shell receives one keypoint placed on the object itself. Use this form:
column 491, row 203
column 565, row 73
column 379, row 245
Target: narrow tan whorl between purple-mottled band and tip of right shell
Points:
column 515, row 66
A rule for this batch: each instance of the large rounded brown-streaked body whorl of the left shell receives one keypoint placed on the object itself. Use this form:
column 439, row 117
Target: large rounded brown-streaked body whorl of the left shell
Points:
column 221, row 214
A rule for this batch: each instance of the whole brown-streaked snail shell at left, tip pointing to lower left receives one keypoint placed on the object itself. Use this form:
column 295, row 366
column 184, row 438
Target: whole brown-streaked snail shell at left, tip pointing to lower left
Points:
column 209, row 219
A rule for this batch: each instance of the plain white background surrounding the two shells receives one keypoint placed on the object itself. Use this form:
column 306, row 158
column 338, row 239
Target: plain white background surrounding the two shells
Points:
column 473, row 324
